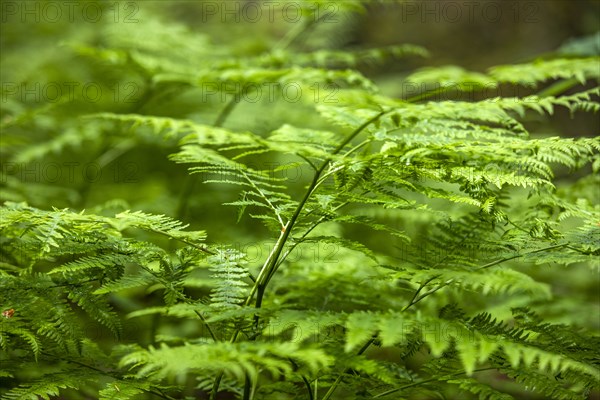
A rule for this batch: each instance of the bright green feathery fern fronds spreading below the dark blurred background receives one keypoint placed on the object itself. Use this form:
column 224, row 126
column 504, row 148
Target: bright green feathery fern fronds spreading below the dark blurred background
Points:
column 400, row 248
